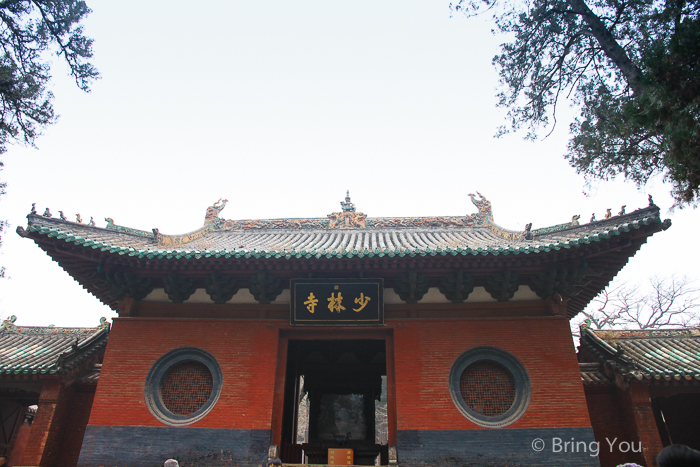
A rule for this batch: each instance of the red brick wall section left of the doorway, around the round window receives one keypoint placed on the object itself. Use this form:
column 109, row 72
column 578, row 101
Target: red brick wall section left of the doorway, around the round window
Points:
column 246, row 351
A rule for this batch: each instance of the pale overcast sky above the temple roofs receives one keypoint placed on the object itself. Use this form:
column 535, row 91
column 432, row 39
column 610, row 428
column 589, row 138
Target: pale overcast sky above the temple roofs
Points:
column 281, row 107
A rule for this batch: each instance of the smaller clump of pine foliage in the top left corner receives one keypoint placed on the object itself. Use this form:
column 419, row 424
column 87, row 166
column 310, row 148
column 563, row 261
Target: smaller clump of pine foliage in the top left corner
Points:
column 29, row 29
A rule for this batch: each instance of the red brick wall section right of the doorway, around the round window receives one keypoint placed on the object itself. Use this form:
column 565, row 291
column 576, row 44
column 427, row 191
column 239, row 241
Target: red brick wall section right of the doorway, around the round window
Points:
column 426, row 349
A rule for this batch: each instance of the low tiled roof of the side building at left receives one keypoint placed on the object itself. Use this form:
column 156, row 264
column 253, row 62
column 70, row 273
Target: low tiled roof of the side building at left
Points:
column 47, row 350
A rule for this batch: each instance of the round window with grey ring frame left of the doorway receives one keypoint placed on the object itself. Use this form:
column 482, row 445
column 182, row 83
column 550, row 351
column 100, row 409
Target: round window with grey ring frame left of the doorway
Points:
column 183, row 386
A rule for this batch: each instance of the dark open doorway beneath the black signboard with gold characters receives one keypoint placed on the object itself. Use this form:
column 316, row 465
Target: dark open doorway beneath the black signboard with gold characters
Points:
column 335, row 397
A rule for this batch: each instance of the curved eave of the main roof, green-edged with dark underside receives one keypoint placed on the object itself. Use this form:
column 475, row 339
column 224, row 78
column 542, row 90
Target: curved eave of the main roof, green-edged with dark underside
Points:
column 80, row 256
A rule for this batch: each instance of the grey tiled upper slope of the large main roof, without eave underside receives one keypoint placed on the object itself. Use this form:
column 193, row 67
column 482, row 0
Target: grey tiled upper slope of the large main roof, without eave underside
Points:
column 396, row 237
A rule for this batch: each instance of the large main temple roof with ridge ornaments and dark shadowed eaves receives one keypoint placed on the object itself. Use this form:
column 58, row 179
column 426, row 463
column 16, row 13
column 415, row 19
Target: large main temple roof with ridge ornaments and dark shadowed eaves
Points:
column 576, row 261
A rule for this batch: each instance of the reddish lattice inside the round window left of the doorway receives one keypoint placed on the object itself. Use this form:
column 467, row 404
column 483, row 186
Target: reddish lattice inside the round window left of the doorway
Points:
column 187, row 387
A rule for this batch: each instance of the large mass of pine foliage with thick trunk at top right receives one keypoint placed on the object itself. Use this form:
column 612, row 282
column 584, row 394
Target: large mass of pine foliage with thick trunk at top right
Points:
column 633, row 68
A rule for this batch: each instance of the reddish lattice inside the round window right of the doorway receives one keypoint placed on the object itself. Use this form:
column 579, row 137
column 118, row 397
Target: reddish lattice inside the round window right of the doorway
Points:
column 487, row 388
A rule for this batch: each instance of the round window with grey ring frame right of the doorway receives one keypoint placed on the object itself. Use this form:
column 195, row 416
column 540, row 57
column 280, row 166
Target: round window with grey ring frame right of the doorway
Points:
column 489, row 386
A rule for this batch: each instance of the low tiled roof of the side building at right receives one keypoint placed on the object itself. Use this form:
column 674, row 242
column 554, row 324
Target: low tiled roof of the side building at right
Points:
column 660, row 354
